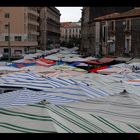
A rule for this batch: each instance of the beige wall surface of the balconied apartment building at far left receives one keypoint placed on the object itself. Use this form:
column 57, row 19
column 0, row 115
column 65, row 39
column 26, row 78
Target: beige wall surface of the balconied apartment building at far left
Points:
column 18, row 27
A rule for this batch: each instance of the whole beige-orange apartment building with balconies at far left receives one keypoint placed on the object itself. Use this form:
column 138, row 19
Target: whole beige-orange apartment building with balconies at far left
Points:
column 20, row 25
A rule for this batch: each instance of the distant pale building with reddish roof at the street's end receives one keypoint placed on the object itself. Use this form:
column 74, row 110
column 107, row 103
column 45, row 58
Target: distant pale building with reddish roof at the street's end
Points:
column 70, row 30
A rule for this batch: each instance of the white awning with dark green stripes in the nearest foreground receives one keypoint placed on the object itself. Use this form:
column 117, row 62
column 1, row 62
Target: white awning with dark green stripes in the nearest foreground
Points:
column 49, row 118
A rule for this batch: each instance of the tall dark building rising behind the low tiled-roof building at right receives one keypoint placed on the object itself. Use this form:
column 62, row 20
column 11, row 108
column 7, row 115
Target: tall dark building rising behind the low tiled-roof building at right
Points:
column 90, row 29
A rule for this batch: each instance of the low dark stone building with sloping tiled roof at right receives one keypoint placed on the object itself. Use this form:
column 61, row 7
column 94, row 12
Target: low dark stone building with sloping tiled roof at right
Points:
column 121, row 33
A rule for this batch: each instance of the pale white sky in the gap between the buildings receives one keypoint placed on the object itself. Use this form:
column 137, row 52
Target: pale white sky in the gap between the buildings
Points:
column 72, row 14
